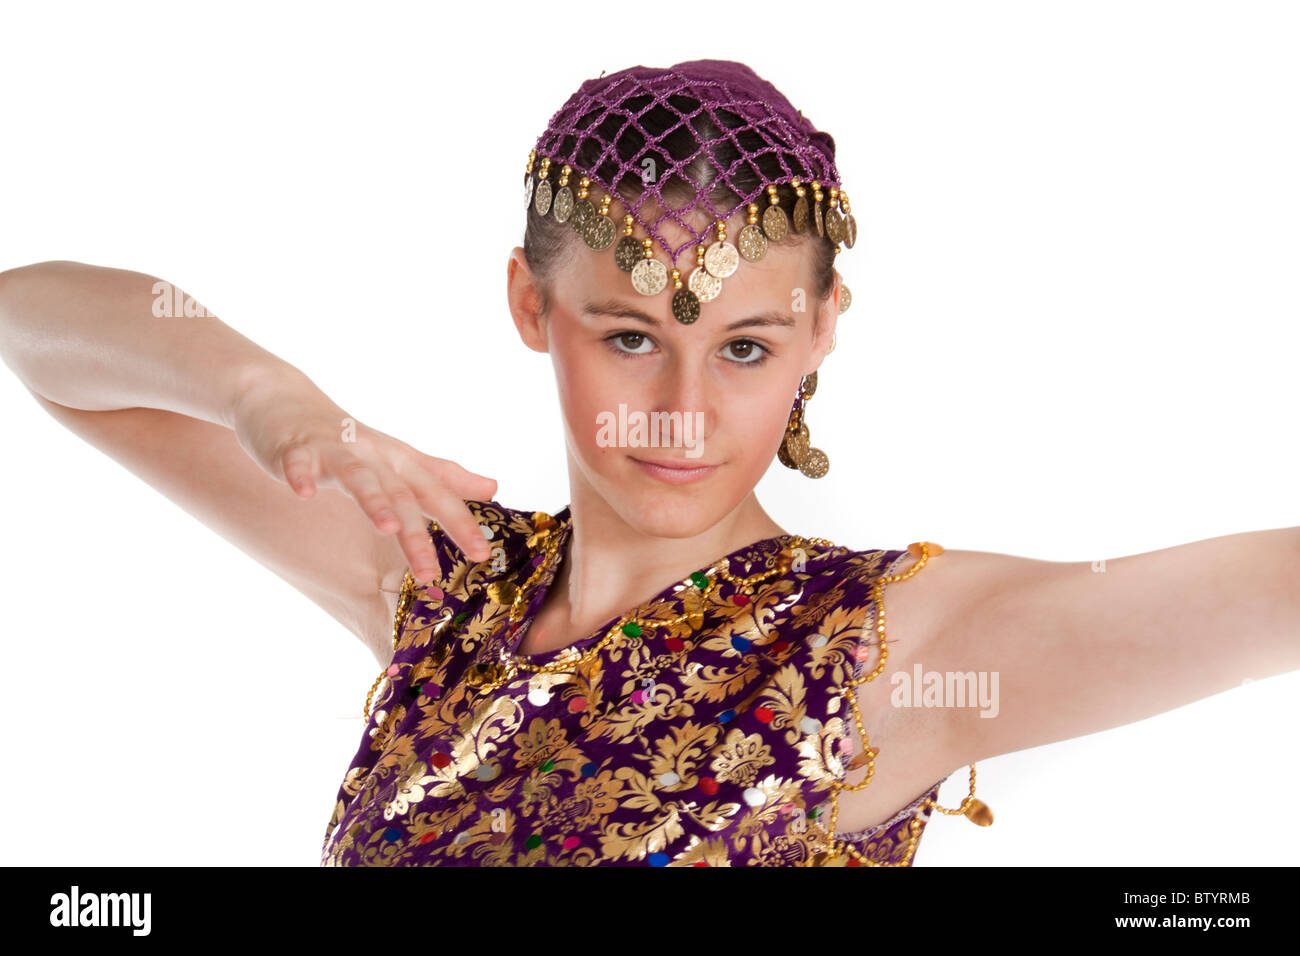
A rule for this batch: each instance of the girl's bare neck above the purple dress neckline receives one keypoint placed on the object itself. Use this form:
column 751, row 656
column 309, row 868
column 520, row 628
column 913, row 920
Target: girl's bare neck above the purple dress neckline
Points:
column 612, row 566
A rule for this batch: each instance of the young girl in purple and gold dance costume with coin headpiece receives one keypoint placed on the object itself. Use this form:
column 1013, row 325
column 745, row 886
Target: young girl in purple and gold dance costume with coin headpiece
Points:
column 657, row 674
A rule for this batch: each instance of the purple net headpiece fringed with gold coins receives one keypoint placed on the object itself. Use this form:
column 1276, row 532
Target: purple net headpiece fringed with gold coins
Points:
column 648, row 137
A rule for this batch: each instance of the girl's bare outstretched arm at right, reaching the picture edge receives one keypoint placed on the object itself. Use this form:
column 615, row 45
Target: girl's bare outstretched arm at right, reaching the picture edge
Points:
column 1082, row 647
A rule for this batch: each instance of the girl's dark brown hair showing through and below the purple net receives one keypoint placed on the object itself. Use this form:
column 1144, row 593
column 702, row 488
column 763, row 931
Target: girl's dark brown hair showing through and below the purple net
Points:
column 548, row 243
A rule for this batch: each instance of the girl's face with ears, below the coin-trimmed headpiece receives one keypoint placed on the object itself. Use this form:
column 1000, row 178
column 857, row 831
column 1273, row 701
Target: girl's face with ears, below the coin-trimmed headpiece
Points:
column 639, row 387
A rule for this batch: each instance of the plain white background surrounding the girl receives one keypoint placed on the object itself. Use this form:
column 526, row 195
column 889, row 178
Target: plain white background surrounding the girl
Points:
column 1073, row 338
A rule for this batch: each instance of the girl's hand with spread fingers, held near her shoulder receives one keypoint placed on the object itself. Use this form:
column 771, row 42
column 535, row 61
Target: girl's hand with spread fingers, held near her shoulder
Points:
column 298, row 436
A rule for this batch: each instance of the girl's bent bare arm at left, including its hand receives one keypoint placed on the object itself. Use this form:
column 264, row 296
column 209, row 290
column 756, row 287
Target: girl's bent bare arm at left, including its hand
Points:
column 220, row 426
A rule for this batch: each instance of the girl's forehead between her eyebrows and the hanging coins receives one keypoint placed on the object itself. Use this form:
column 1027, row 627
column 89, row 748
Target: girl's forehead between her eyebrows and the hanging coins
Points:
column 766, row 284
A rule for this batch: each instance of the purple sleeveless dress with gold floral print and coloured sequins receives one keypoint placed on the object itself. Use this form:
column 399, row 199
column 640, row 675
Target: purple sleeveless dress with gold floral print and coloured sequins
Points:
column 708, row 737
